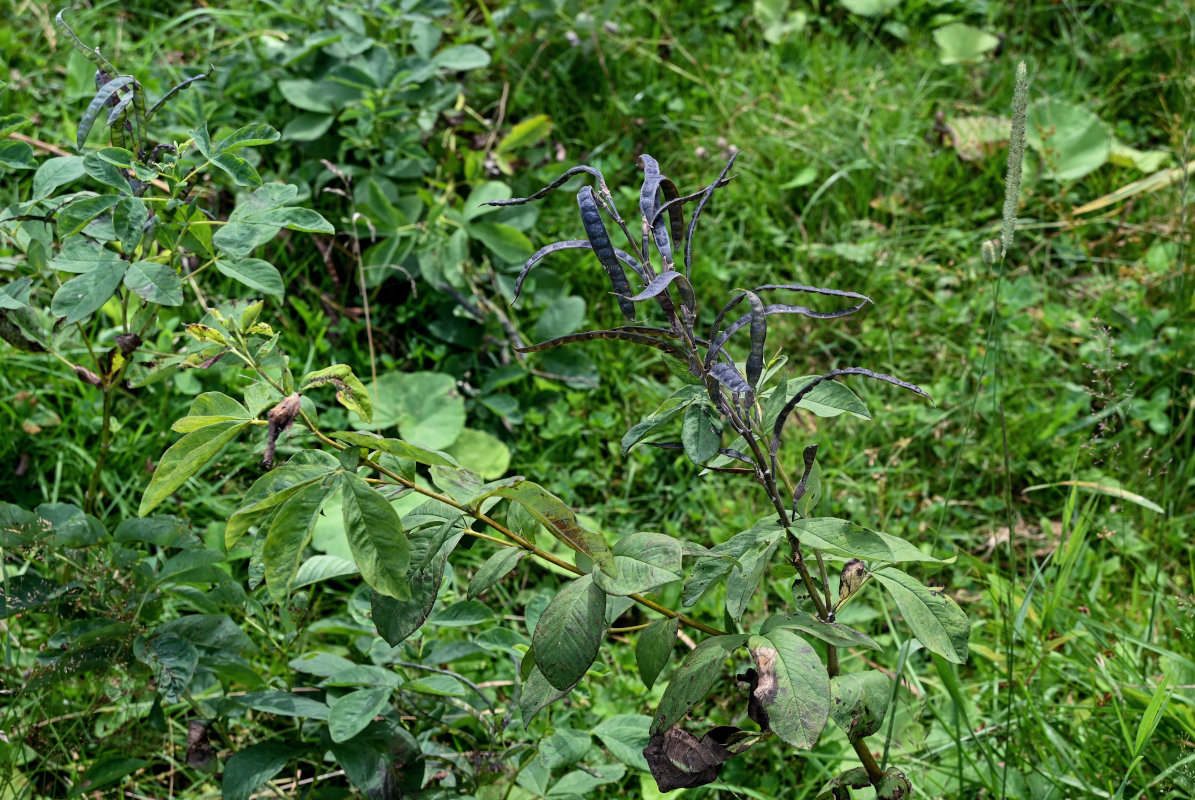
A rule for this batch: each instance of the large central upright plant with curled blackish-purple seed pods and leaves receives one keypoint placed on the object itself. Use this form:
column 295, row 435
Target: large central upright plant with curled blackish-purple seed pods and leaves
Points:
column 794, row 689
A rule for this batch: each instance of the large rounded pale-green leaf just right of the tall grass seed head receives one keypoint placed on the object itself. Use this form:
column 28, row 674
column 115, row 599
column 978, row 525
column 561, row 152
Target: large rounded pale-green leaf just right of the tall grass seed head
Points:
column 1071, row 141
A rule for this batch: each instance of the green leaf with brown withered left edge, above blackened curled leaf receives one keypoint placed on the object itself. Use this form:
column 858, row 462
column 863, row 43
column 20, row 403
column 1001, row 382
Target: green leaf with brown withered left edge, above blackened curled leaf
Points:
column 793, row 688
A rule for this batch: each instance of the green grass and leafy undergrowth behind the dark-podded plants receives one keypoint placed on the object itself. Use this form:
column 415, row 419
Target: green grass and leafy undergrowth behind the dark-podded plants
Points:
column 1056, row 462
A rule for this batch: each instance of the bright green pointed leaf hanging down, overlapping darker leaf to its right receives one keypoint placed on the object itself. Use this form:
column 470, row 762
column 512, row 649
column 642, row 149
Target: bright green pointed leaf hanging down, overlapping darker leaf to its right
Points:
column 376, row 538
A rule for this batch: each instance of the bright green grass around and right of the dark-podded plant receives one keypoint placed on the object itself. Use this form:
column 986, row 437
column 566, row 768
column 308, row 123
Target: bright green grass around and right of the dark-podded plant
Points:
column 1069, row 364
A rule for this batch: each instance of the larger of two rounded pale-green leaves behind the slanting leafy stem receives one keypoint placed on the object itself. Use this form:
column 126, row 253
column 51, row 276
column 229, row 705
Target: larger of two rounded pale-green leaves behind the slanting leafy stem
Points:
column 426, row 407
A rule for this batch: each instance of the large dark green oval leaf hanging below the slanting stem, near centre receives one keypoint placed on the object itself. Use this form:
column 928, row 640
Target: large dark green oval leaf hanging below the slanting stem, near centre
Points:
column 569, row 633
